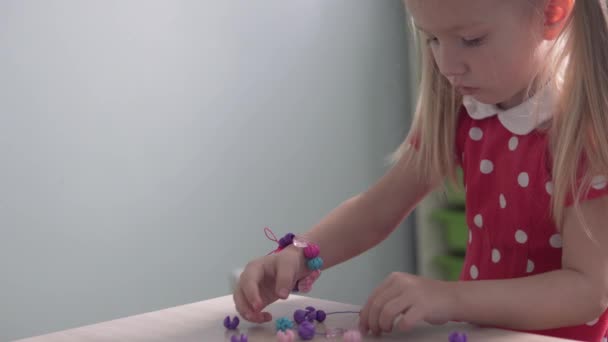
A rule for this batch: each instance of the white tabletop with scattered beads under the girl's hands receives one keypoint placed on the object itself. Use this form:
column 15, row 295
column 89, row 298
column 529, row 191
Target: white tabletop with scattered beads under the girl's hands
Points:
column 202, row 321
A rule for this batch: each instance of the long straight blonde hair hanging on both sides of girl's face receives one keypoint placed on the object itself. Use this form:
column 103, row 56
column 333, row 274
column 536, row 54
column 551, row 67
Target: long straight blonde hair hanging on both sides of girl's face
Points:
column 578, row 132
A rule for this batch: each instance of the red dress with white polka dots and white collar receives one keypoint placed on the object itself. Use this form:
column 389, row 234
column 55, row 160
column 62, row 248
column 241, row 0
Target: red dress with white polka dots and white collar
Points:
column 507, row 176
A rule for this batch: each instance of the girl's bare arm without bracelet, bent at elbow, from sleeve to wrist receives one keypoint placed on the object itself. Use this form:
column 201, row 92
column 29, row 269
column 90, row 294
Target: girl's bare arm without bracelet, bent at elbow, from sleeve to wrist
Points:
column 574, row 295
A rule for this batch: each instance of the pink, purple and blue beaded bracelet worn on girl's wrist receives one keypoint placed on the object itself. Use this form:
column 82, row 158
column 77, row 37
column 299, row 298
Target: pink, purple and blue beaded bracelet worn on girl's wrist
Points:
column 311, row 252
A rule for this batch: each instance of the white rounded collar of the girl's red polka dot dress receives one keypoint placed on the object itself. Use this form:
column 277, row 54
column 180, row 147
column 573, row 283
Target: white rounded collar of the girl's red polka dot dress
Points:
column 521, row 119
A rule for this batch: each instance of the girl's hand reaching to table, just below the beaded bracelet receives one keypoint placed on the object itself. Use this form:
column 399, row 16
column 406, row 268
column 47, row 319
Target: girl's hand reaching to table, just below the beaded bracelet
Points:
column 267, row 279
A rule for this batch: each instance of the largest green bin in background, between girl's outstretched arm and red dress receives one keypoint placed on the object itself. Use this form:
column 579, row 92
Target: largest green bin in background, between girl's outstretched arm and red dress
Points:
column 454, row 227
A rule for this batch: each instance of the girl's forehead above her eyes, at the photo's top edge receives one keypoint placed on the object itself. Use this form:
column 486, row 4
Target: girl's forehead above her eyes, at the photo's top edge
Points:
column 452, row 15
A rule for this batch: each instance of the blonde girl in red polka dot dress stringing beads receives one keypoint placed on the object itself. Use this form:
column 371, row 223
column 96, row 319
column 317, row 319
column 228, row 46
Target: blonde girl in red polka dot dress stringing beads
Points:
column 516, row 93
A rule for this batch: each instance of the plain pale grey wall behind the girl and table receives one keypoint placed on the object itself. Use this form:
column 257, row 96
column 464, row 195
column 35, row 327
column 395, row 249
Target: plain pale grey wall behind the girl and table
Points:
column 145, row 144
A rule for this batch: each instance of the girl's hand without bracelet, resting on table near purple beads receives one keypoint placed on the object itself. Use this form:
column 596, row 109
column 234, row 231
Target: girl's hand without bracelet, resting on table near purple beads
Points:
column 411, row 297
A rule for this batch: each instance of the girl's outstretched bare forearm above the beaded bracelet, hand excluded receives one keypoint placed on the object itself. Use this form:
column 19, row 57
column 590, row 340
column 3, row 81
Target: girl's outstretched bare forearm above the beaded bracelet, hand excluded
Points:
column 365, row 220
